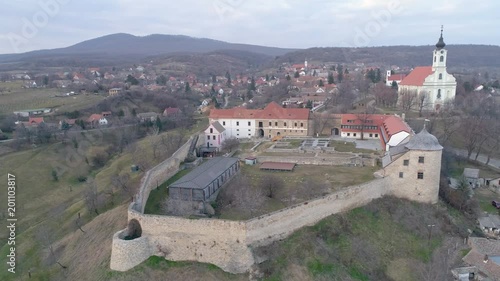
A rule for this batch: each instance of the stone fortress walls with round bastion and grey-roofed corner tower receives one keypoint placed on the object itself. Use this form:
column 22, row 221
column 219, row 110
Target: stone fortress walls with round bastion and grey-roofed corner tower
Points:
column 410, row 170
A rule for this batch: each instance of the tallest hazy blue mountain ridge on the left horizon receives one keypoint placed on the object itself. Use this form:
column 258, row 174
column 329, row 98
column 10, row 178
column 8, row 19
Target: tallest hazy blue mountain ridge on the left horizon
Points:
column 127, row 45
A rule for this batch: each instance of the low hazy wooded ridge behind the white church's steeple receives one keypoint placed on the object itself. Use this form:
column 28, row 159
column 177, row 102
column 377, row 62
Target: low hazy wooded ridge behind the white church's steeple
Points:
column 459, row 56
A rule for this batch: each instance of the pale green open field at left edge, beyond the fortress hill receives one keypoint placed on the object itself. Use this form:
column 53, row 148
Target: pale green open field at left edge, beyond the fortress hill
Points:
column 14, row 98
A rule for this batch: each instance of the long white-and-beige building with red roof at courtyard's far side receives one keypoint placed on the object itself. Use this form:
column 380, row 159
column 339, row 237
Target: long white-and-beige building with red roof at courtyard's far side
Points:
column 269, row 122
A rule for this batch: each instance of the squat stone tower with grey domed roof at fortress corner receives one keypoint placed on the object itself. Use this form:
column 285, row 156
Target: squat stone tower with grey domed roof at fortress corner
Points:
column 415, row 168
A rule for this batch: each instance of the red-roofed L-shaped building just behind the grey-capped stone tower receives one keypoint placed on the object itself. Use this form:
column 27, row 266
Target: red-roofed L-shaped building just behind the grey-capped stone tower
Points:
column 390, row 129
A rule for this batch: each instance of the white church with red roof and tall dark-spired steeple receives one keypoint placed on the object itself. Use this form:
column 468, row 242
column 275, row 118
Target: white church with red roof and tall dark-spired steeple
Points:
column 435, row 81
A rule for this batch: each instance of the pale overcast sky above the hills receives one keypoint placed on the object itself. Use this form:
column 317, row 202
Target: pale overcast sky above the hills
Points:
column 27, row 25
